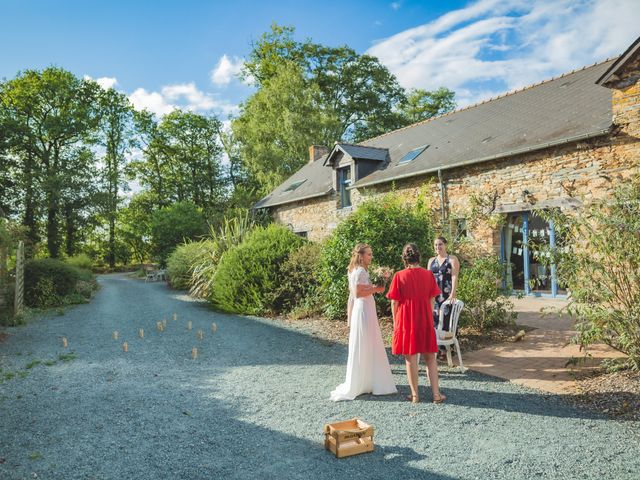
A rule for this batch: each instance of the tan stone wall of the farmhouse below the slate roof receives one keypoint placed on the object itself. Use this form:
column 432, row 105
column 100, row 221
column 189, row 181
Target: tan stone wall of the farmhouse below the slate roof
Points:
column 569, row 175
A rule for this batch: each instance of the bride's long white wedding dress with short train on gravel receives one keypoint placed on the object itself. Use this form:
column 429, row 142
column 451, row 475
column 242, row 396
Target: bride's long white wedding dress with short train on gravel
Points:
column 368, row 369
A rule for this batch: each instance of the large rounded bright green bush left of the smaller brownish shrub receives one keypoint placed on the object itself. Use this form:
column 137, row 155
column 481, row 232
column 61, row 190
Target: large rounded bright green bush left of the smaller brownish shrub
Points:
column 248, row 275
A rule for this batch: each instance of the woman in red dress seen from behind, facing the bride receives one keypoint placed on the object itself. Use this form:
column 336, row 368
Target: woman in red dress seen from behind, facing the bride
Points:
column 412, row 294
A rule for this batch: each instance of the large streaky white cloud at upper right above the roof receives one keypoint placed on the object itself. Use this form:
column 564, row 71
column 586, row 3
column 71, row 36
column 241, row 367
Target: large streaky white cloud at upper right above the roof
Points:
column 493, row 46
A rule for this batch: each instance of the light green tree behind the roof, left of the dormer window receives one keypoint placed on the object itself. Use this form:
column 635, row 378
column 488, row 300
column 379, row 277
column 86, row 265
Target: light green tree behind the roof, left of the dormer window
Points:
column 278, row 124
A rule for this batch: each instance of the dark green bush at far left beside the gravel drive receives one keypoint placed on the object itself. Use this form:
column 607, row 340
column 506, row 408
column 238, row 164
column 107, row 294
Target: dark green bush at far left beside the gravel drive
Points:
column 48, row 282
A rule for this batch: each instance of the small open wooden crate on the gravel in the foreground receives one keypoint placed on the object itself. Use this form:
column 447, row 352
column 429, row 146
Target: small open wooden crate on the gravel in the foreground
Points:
column 347, row 438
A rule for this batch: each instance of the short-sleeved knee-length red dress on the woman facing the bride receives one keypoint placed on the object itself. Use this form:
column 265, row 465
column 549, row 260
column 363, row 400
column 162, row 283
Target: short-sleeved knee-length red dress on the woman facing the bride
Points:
column 413, row 332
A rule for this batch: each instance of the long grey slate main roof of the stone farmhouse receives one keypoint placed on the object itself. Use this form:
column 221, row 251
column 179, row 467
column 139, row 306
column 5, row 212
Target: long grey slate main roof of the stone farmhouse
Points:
column 557, row 111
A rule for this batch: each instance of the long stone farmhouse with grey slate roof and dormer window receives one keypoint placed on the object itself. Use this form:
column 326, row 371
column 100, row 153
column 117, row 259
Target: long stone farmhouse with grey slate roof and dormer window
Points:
column 562, row 143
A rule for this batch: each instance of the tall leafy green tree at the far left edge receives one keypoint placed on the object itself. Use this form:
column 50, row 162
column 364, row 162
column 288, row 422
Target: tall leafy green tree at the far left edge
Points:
column 52, row 112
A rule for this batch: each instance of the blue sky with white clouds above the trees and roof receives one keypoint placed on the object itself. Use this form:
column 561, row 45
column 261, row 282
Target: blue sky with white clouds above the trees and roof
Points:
column 186, row 53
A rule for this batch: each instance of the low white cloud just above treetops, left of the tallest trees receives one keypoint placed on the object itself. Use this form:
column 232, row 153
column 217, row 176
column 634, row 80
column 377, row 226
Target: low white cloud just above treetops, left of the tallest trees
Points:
column 186, row 96
